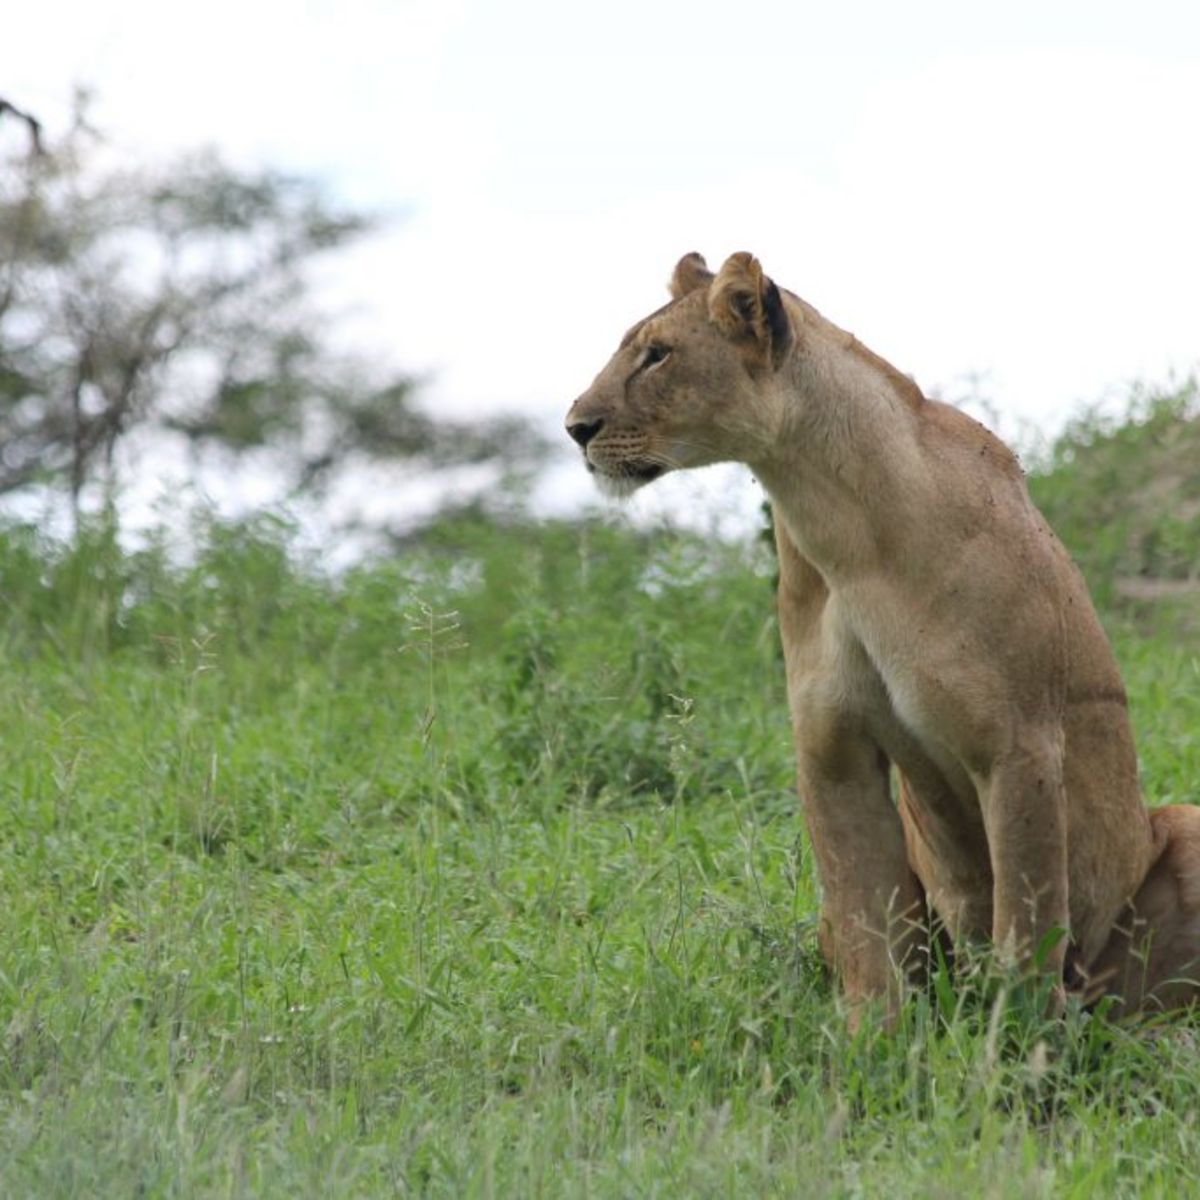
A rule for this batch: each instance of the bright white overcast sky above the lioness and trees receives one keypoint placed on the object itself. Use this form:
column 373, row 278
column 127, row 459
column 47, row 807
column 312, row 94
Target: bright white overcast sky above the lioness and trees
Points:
column 1006, row 191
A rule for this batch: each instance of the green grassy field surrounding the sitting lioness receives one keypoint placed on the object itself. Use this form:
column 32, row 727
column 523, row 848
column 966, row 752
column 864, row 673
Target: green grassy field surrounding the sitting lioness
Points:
column 478, row 873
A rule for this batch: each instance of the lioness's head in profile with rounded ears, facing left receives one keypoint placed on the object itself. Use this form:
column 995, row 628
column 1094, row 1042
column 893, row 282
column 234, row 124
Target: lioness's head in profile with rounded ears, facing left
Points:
column 692, row 383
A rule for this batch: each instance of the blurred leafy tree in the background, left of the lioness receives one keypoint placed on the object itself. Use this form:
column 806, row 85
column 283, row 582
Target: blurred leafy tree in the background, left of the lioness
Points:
column 178, row 299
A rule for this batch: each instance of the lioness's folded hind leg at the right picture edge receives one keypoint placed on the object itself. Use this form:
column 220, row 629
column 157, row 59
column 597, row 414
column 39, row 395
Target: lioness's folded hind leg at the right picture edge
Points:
column 1153, row 959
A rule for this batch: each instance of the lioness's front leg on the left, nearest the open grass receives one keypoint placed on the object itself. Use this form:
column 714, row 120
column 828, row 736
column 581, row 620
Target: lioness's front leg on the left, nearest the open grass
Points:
column 873, row 921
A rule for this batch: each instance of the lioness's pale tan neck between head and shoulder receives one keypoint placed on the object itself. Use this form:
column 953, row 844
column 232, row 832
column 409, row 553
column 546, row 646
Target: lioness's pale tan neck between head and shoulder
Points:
column 847, row 460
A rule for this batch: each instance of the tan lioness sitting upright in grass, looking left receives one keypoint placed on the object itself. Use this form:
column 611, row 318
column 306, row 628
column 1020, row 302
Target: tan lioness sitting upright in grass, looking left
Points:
column 931, row 621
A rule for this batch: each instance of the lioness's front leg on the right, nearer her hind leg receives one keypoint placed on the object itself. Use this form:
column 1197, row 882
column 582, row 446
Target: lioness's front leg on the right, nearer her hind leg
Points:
column 1025, row 817
